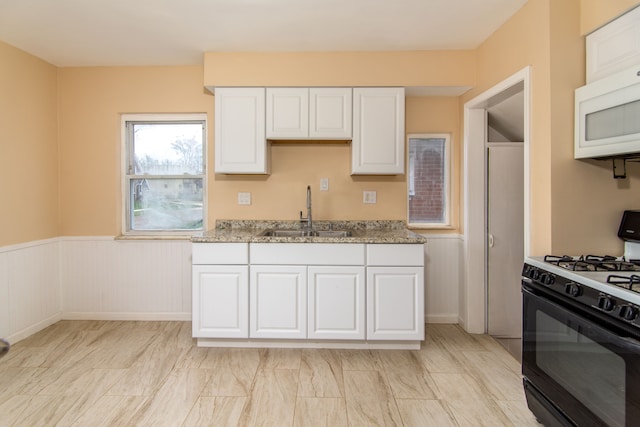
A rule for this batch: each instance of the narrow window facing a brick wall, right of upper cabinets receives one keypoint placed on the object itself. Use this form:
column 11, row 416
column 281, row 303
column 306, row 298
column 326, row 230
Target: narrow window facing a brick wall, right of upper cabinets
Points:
column 428, row 181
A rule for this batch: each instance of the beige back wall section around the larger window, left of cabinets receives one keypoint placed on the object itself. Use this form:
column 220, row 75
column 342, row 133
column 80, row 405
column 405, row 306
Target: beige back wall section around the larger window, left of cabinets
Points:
column 91, row 102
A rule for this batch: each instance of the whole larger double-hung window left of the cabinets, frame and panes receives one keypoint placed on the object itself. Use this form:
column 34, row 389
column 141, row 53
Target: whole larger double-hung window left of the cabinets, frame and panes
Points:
column 164, row 173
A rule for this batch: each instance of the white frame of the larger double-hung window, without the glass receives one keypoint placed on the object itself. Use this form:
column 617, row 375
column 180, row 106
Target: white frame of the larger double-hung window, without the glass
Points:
column 126, row 176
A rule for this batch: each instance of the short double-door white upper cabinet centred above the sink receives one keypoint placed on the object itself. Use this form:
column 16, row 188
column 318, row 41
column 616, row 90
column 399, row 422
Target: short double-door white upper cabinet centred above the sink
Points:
column 309, row 113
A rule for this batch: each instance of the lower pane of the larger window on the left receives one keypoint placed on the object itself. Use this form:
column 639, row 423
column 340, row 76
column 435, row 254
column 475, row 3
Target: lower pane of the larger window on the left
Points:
column 166, row 204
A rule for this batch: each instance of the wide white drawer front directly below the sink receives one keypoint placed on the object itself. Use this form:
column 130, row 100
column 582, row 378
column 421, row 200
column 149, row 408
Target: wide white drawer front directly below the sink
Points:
column 307, row 253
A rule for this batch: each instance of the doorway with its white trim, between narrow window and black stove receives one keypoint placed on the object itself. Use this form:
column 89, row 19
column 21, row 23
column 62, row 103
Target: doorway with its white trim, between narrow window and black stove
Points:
column 477, row 296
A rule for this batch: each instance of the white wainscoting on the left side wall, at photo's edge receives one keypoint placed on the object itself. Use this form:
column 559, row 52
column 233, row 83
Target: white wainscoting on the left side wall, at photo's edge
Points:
column 30, row 297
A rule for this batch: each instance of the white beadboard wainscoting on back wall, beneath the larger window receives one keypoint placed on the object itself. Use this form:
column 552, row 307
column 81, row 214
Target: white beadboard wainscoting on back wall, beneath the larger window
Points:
column 107, row 279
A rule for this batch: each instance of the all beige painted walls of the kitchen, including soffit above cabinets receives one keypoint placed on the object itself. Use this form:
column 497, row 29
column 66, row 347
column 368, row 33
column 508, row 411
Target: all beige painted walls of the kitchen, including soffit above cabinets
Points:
column 566, row 194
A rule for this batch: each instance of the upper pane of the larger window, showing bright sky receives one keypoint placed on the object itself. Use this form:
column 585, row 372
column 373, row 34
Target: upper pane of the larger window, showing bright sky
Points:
column 167, row 148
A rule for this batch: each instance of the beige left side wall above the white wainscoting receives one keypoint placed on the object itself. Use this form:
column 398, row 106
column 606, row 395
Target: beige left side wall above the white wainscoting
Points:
column 28, row 151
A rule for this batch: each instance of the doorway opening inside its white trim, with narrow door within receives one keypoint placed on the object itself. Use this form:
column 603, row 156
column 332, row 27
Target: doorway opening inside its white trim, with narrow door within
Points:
column 504, row 156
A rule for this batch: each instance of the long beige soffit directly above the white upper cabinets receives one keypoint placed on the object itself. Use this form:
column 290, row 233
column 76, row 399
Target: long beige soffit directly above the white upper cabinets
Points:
column 432, row 68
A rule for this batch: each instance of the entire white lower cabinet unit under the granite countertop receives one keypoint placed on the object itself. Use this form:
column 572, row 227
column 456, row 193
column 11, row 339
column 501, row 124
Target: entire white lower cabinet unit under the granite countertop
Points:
column 272, row 291
